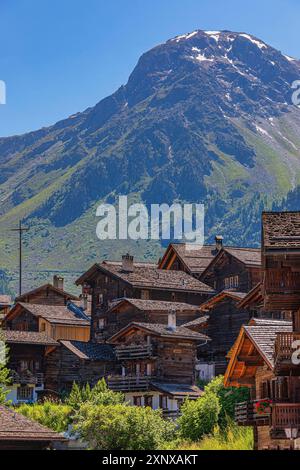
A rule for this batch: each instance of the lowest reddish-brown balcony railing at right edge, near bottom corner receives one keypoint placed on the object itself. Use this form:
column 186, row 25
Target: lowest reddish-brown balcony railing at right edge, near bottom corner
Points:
column 285, row 415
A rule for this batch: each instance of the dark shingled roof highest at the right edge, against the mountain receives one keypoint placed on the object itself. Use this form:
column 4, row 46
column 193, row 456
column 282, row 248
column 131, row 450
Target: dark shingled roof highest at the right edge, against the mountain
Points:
column 281, row 230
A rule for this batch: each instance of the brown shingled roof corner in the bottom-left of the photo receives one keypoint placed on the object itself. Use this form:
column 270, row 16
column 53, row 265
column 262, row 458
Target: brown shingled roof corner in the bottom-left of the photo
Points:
column 16, row 427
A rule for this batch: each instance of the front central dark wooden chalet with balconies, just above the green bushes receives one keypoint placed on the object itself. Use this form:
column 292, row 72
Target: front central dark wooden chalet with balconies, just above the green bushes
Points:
column 153, row 352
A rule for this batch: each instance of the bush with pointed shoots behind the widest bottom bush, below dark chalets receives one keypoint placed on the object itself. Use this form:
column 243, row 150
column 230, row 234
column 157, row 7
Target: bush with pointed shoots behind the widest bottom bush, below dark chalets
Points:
column 98, row 395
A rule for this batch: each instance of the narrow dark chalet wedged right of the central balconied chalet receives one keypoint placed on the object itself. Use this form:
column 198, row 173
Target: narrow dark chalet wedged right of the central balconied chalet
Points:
column 221, row 320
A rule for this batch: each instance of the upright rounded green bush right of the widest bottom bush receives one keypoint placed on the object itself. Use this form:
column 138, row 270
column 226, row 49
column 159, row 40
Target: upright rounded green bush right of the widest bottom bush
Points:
column 199, row 417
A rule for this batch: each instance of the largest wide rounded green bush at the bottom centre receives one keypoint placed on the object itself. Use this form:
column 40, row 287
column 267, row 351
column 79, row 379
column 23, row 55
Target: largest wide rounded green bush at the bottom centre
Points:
column 121, row 427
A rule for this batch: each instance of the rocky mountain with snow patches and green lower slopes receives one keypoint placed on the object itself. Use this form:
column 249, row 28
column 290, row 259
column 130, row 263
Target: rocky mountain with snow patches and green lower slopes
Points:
column 205, row 117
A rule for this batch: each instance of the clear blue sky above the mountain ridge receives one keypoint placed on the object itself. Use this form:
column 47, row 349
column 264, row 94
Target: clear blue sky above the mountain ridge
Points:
column 59, row 57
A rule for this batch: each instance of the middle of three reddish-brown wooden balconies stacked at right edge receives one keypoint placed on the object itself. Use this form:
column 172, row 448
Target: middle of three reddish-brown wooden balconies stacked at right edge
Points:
column 283, row 354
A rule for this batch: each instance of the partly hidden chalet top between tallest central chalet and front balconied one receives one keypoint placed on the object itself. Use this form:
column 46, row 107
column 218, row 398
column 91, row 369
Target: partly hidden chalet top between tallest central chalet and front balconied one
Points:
column 125, row 311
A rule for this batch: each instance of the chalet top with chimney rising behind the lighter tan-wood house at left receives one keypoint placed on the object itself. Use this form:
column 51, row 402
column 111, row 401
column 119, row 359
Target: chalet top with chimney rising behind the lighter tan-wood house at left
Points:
column 49, row 294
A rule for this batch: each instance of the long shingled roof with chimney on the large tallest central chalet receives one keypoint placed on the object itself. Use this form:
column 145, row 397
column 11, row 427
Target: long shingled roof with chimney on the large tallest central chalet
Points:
column 149, row 278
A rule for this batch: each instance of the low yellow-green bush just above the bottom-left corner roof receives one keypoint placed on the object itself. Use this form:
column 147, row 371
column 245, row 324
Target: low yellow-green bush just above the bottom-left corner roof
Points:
column 53, row 416
